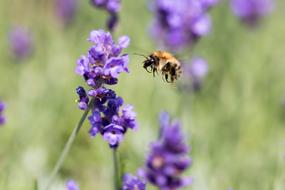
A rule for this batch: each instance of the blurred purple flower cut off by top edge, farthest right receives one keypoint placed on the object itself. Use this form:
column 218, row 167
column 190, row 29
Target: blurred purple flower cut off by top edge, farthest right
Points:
column 251, row 11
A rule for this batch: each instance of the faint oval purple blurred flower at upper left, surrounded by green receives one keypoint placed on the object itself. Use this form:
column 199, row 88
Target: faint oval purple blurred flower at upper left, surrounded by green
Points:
column 21, row 43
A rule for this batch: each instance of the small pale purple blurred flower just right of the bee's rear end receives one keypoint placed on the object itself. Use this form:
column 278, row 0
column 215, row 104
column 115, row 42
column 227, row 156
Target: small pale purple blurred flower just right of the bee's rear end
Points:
column 194, row 74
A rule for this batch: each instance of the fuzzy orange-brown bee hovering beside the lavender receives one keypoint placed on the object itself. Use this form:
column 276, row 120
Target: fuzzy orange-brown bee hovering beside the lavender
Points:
column 165, row 63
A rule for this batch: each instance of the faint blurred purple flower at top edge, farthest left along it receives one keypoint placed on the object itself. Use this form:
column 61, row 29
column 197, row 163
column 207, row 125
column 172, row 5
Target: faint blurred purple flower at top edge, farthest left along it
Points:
column 65, row 10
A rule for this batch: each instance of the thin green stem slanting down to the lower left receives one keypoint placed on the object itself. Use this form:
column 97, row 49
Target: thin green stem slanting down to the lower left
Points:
column 68, row 145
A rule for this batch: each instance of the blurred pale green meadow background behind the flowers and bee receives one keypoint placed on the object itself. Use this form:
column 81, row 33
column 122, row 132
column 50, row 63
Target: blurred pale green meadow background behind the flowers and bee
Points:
column 235, row 124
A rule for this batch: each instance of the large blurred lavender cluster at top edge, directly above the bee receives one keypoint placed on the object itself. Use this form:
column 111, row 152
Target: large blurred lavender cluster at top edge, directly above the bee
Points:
column 181, row 23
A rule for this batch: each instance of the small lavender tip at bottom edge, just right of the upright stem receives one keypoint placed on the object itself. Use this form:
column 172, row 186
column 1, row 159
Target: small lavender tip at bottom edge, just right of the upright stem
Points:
column 131, row 182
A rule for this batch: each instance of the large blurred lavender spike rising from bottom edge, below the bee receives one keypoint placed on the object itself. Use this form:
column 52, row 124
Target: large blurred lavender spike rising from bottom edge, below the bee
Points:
column 168, row 157
